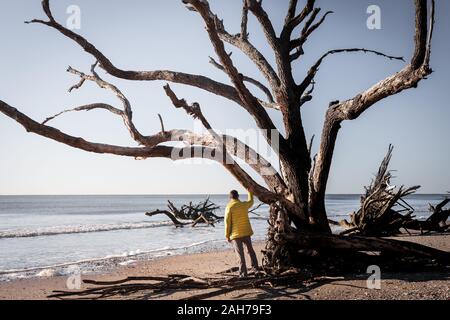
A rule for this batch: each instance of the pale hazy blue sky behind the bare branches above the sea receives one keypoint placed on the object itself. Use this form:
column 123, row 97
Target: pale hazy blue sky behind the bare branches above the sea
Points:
column 162, row 34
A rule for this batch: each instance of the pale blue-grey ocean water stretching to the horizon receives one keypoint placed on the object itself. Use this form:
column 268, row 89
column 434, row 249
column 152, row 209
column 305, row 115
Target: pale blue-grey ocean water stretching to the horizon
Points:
column 55, row 235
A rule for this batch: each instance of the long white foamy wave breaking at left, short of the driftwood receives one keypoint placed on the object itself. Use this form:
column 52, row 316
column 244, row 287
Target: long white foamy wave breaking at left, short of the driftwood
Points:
column 58, row 230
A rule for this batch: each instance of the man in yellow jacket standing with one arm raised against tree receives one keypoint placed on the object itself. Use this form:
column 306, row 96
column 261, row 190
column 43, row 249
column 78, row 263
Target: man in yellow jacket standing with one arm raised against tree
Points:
column 239, row 231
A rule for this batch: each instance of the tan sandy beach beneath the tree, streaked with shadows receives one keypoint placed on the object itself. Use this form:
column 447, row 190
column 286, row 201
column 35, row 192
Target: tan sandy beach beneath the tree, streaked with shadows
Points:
column 402, row 286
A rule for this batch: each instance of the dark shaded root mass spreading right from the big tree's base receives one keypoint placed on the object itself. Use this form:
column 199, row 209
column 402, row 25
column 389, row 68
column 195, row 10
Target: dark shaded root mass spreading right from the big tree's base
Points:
column 325, row 253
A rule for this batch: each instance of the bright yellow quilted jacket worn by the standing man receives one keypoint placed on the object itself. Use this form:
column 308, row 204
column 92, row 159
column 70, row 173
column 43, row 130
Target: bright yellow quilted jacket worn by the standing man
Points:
column 237, row 224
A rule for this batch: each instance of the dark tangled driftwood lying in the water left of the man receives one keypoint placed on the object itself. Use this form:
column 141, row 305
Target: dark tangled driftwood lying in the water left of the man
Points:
column 202, row 212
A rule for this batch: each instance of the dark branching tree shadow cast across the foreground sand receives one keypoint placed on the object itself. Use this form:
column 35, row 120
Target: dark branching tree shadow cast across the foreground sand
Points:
column 293, row 286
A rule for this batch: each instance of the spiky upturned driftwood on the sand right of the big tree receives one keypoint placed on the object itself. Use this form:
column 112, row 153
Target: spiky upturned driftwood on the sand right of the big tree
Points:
column 384, row 211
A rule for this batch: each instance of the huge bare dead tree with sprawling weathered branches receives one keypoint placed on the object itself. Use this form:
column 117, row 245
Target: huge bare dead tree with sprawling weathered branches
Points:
column 296, row 193
